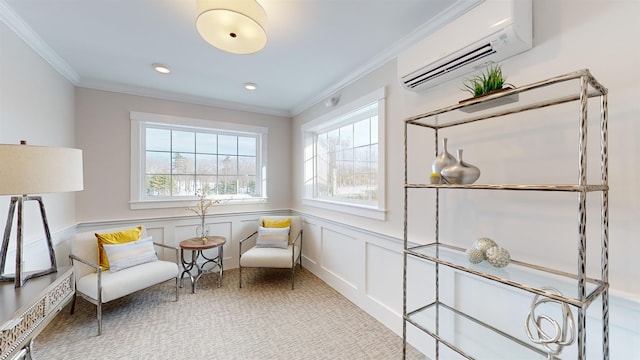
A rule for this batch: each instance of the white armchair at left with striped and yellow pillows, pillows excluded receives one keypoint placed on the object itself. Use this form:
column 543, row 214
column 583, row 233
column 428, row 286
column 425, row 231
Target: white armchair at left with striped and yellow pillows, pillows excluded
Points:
column 100, row 286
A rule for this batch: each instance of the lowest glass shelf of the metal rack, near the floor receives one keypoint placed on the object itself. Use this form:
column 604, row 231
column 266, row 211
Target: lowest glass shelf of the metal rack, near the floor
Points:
column 462, row 333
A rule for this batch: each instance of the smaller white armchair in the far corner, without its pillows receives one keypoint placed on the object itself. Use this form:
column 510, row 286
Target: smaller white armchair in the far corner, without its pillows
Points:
column 285, row 257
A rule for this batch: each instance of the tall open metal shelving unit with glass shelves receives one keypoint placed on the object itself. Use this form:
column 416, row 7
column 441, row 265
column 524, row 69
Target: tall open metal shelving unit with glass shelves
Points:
column 526, row 277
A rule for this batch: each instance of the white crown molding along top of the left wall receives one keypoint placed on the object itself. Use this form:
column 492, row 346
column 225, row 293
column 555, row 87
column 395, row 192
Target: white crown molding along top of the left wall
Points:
column 31, row 38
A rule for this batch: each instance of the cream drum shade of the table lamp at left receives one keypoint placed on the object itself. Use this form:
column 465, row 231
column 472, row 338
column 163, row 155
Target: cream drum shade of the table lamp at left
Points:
column 27, row 169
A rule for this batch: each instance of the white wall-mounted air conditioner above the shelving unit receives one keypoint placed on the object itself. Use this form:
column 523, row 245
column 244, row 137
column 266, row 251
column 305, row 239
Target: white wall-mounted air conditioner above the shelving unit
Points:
column 492, row 31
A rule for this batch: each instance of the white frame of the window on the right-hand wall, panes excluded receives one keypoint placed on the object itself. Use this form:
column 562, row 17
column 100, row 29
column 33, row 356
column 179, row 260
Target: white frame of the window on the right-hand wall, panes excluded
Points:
column 337, row 118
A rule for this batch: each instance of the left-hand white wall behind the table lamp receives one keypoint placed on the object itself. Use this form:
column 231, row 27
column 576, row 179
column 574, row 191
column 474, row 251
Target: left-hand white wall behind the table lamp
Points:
column 36, row 105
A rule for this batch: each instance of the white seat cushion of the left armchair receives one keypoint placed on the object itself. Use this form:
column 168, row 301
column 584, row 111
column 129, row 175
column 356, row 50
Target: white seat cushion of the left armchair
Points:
column 124, row 282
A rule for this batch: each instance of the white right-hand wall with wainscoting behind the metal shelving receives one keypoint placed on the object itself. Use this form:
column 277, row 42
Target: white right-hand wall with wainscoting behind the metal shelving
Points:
column 568, row 35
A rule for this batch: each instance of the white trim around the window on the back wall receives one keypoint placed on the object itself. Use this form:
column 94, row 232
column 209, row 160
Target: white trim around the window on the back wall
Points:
column 136, row 201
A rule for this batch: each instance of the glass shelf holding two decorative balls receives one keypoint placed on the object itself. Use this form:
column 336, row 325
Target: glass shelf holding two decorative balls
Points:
column 528, row 277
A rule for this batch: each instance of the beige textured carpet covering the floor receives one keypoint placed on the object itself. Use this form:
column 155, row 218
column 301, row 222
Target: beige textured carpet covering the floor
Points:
column 263, row 320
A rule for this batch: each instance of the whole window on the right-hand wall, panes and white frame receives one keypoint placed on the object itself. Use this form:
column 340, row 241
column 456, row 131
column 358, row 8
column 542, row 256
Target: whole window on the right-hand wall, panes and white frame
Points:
column 344, row 158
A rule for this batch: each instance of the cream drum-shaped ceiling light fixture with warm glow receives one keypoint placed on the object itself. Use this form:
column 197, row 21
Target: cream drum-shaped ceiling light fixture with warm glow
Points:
column 235, row 26
